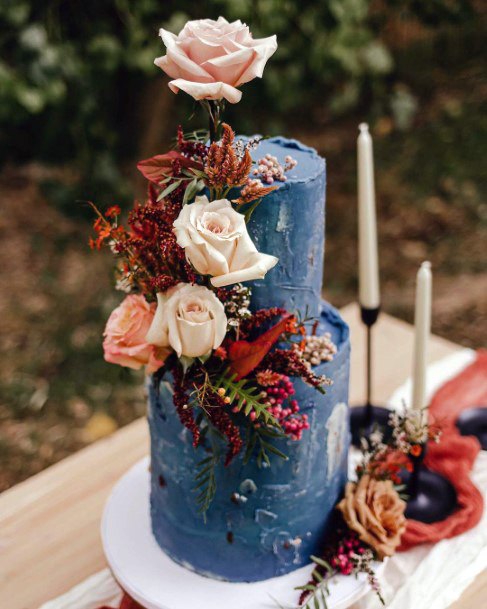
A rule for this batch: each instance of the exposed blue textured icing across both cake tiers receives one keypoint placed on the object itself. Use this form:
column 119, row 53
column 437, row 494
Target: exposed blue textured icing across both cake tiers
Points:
column 264, row 522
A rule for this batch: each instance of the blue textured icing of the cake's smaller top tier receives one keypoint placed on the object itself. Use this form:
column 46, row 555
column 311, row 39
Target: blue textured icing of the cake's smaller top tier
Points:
column 290, row 224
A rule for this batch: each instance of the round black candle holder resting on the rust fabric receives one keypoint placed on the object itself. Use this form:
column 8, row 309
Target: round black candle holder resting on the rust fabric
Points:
column 431, row 496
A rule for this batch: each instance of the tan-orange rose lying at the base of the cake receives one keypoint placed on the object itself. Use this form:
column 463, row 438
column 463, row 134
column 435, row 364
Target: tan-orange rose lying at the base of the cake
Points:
column 373, row 509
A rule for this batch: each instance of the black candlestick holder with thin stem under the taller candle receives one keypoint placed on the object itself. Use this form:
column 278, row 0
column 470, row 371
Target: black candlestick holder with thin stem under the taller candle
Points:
column 365, row 419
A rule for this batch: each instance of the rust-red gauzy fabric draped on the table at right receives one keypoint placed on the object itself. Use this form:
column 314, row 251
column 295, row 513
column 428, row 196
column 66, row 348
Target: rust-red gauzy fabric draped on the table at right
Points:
column 454, row 456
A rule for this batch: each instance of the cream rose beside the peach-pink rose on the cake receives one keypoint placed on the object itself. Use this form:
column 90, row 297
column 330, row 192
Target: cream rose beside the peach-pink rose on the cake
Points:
column 190, row 319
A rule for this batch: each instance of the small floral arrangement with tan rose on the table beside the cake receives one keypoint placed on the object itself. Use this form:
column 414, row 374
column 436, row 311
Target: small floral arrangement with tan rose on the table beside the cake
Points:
column 370, row 518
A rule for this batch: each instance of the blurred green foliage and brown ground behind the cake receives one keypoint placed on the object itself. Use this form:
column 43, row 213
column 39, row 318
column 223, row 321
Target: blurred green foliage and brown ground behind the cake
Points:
column 81, row 101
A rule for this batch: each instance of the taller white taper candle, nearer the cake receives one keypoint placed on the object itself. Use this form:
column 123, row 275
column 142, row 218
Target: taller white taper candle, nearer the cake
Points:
column 369, row 296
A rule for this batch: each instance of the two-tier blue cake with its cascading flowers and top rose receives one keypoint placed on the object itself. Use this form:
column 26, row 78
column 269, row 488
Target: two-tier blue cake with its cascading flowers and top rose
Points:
column 248, row 368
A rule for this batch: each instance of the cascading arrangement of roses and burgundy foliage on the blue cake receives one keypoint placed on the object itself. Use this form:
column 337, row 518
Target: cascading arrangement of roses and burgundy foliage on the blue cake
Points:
column 184, row 257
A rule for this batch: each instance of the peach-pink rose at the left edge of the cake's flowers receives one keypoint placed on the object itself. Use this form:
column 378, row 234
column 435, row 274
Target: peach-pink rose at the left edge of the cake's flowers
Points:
column 125, row 332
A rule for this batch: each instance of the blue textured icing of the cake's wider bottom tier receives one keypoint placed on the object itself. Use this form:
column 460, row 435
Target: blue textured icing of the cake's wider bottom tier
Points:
column 263, row 522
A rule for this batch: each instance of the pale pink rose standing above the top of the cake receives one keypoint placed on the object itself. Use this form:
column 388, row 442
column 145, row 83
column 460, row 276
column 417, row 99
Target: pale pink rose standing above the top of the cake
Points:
column 209, row 59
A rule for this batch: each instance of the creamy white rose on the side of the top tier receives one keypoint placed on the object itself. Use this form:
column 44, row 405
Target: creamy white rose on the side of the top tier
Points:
column 217, row 243
